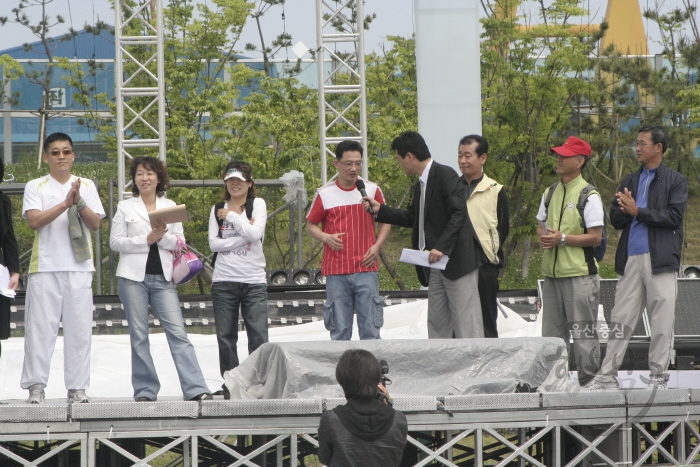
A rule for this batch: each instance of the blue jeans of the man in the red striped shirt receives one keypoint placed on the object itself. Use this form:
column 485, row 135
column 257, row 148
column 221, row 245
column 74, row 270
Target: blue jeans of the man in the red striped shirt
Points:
column 347, row 294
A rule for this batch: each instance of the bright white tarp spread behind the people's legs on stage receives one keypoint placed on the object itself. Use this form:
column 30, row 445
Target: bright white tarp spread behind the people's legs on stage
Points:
column 111, row 360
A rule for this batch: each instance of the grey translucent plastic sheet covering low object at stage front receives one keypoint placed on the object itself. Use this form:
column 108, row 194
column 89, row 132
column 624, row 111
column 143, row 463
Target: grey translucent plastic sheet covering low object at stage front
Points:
column 437, row 367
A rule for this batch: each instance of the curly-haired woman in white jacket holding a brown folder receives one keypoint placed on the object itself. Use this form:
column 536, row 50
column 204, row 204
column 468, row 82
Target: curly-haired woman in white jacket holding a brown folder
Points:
column 145, row 277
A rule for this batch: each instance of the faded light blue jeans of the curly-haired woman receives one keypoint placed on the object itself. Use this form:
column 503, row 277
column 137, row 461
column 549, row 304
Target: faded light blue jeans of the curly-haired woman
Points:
column 162, row 296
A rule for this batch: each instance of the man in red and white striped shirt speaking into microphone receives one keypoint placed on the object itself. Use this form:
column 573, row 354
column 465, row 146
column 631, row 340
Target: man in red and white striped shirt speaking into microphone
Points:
column 350, row 250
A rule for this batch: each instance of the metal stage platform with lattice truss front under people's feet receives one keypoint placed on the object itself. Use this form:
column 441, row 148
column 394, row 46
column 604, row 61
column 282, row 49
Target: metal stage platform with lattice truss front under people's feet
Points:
column 609, row 428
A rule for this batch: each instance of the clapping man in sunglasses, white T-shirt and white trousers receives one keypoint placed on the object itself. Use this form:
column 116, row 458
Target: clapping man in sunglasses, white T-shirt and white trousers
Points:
column 61, row 209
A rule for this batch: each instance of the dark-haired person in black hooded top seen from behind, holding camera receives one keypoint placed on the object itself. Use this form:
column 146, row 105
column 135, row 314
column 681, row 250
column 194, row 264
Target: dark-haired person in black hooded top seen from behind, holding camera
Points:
column 366, row 431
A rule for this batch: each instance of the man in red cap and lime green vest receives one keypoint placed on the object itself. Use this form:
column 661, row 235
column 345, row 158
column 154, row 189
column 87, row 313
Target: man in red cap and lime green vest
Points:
column 571, row 282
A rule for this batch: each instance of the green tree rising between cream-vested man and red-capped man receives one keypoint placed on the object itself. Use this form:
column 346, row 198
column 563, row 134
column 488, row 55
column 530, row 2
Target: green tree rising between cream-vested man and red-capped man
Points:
column 530, row 81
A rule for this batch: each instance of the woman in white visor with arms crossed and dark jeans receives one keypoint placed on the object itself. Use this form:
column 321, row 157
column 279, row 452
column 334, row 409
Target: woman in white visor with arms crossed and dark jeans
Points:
column 239, row 273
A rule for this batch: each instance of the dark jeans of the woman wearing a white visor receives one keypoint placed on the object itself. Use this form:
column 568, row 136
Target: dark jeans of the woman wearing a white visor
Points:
column 227, row 298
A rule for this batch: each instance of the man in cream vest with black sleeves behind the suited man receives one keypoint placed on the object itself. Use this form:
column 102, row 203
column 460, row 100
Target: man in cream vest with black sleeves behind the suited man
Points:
column 487, row 206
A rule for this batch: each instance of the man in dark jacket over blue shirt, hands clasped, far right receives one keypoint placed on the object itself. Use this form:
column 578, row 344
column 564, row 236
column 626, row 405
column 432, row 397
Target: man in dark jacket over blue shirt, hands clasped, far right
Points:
column 649, row 207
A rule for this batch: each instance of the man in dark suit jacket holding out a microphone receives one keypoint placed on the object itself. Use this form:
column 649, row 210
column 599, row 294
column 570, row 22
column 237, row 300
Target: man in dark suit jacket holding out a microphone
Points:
column 454, row 309
